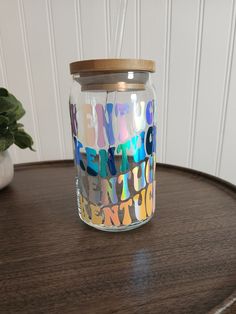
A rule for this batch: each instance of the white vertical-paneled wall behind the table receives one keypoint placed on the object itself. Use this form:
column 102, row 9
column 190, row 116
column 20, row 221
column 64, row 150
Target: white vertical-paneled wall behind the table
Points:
column 192, row 41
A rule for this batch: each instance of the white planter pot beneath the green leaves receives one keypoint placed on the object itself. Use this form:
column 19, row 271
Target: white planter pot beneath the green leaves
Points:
column 6, row 169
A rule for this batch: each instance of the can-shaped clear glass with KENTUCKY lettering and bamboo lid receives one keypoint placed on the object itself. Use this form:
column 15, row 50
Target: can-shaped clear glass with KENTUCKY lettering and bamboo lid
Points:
column 113, row 120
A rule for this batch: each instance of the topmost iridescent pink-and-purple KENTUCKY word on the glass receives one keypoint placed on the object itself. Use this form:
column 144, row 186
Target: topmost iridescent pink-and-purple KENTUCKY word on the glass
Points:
column 136, row 117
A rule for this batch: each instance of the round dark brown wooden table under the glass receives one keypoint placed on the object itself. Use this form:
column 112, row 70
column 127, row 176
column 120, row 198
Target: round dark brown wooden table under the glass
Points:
column 183, row 261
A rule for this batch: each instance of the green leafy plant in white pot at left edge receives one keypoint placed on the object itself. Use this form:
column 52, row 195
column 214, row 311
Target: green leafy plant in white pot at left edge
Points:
column 11, row 132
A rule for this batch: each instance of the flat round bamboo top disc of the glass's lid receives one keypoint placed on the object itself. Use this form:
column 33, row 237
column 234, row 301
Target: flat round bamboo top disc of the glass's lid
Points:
column 111, row 65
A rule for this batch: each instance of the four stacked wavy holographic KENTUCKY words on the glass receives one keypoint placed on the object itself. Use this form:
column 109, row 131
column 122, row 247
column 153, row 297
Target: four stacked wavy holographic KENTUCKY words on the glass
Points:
column 116, row 167
